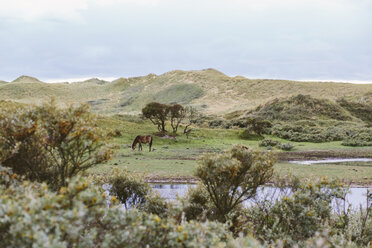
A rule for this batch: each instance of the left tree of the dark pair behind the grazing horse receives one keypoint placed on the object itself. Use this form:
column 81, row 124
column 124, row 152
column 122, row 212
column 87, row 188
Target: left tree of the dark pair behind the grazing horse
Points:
column 157, row 113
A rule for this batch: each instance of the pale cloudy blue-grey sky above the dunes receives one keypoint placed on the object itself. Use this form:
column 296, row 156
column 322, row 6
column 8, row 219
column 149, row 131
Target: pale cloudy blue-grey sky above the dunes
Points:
column 287, row 39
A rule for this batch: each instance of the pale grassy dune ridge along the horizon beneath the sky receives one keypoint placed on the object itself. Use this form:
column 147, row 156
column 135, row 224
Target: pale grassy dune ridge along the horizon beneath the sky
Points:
column 209, row 90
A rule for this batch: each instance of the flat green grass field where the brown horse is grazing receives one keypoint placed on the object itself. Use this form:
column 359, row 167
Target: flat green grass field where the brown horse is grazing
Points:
column 175, row 159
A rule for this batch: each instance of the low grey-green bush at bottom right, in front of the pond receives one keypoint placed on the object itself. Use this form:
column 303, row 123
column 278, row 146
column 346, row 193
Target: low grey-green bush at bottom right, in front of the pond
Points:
column 294, row 217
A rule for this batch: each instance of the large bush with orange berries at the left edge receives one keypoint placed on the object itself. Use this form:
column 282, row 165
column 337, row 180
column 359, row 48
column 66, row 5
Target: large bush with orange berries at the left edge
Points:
column 48, row 144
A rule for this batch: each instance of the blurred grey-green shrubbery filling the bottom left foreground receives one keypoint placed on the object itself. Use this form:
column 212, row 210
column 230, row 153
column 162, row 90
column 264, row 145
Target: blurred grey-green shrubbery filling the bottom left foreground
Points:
column 78, row 216
